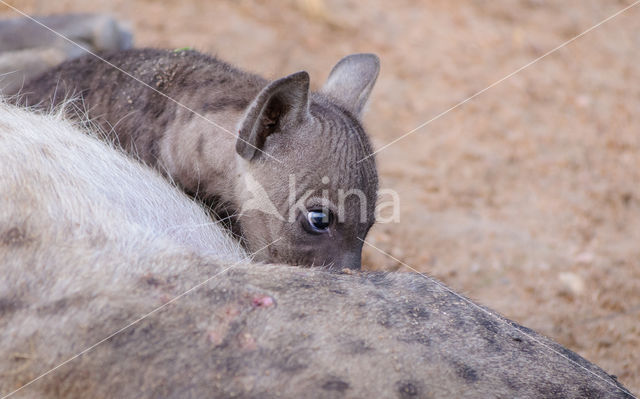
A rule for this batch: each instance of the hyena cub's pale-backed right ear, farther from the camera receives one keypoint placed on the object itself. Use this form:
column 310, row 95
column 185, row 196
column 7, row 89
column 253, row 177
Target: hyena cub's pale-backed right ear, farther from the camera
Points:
column 351, row 81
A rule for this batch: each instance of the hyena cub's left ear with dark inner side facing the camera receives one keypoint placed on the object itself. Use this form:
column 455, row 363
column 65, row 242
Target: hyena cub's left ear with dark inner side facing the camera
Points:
column 283, row 101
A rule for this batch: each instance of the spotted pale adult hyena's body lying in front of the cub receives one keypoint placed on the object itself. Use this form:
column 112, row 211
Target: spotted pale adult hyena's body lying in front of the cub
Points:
column 84, row 251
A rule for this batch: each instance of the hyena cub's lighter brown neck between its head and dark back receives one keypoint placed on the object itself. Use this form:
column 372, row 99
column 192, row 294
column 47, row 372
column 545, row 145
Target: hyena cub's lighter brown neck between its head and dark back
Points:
column 198, row 148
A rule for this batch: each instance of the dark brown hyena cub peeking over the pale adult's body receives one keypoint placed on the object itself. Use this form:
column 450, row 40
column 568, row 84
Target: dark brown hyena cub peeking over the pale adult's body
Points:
column 284, row 161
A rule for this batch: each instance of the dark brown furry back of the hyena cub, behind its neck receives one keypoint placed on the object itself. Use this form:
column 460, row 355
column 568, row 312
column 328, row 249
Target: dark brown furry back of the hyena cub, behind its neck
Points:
column 130, row 94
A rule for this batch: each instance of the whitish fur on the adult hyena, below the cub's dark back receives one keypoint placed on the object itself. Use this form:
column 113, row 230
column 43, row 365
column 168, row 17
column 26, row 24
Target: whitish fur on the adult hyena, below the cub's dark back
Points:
column 80, row 170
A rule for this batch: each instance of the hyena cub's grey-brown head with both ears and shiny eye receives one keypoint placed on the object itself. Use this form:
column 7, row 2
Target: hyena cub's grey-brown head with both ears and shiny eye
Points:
column 308, row 184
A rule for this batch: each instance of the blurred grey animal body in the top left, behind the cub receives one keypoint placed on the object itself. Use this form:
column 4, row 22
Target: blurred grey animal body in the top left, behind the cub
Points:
column 28, row 49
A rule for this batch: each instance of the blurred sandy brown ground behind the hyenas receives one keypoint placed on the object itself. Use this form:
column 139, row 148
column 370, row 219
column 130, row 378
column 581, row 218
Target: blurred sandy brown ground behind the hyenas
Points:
column 526, row 198
